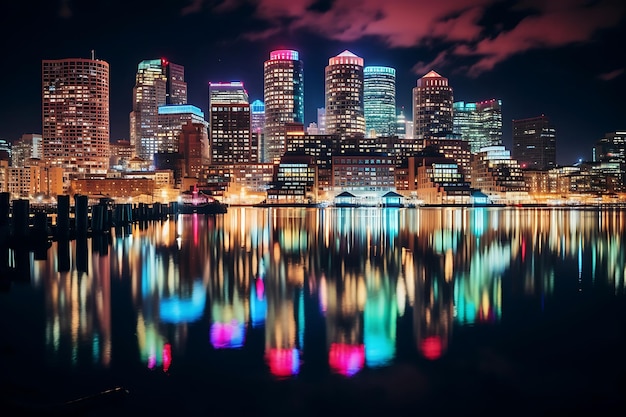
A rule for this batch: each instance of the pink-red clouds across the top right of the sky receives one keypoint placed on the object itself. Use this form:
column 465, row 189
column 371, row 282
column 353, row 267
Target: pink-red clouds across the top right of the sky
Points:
column 456, row 25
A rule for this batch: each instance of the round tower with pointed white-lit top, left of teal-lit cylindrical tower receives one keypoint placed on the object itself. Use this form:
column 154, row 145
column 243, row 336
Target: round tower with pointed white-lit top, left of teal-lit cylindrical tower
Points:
column 344, row 95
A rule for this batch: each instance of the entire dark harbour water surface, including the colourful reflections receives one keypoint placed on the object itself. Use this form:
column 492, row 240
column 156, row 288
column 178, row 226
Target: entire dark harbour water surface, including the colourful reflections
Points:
column 312, row 312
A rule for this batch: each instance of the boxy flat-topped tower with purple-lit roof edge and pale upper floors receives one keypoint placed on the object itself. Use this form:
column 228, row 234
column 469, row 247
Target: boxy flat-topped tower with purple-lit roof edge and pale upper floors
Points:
column 230, row 138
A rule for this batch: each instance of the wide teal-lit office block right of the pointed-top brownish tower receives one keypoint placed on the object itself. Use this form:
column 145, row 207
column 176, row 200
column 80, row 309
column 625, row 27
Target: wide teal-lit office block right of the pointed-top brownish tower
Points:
column 479, row 123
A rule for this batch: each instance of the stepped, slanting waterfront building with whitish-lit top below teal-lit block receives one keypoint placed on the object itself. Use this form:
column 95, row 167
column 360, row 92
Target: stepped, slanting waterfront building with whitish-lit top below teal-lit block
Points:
column 498, row 175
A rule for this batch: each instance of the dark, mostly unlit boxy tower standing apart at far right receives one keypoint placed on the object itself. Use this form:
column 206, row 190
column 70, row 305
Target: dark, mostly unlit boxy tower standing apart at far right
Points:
column 534, row 143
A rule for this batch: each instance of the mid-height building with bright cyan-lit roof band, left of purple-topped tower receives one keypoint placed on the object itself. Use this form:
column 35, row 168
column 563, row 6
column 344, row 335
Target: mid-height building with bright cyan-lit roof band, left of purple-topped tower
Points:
column 170, row 121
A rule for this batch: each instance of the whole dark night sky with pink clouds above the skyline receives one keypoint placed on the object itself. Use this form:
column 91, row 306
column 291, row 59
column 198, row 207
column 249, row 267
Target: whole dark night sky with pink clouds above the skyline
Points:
column 561, row 58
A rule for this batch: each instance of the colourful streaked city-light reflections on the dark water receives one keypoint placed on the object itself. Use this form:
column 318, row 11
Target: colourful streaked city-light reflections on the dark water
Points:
column 331, row 283
